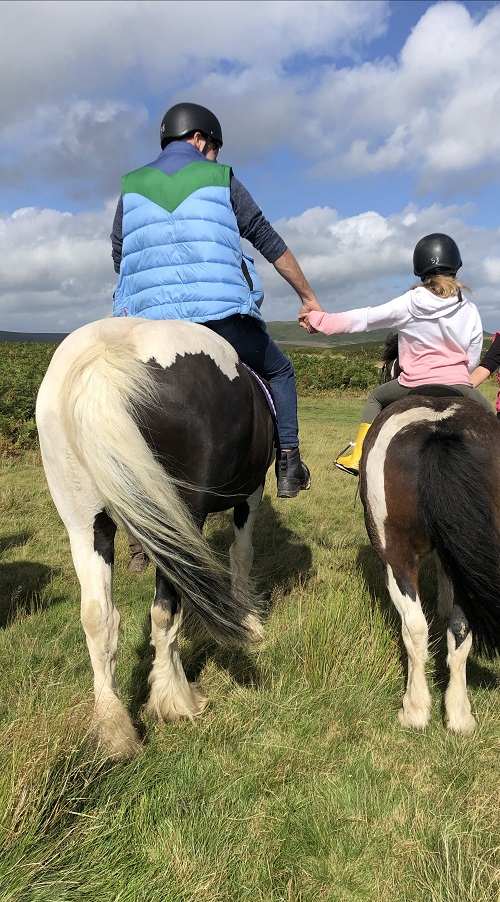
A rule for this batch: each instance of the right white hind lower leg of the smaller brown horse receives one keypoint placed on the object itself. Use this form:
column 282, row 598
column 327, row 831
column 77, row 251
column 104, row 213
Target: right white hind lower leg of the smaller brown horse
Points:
column 458, row 717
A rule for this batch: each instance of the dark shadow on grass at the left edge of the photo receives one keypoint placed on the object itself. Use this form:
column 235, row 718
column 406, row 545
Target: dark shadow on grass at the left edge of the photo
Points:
column 21, row 582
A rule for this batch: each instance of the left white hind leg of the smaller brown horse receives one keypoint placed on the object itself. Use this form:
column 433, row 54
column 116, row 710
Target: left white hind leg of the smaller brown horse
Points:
column 416, row 701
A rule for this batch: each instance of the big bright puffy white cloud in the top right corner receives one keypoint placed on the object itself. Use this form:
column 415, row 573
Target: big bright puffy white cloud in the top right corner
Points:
column 433, row 109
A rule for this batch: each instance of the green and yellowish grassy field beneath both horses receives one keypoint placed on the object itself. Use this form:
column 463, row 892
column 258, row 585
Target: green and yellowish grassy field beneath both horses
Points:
column 297, row 783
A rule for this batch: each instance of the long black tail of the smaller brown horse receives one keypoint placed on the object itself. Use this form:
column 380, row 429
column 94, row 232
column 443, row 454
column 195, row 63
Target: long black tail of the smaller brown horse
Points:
column 457, row 506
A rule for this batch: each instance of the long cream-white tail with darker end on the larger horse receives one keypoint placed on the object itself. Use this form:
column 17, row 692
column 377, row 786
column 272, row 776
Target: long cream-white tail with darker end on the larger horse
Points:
column 104, row 385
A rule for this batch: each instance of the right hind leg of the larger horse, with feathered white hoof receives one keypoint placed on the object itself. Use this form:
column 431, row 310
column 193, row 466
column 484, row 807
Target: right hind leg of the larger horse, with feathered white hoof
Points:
column 171, row 695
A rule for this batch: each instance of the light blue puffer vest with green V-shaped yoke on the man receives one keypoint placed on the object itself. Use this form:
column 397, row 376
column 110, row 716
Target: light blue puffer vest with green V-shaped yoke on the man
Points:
column 182, row 253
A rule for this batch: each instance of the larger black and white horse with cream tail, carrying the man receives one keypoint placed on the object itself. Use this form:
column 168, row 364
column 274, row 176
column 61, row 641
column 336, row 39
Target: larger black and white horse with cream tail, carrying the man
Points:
column 152, row 426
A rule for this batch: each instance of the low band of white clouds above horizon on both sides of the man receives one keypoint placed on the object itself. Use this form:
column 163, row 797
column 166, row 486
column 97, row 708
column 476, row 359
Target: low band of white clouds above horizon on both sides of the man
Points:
column 57, row 271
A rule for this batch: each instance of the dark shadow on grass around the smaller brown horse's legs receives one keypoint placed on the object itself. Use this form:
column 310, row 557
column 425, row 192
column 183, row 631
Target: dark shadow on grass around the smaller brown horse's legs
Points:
column 478, row 675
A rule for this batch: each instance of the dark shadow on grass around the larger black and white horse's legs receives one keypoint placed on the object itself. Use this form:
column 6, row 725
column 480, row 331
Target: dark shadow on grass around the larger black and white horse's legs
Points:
column 280, row 561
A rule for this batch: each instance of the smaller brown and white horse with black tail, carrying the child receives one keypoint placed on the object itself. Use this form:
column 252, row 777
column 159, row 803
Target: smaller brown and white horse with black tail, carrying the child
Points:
column 430, row 480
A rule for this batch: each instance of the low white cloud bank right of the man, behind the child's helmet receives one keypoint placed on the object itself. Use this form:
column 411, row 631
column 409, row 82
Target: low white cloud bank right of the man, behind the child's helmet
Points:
column 367, row 259
